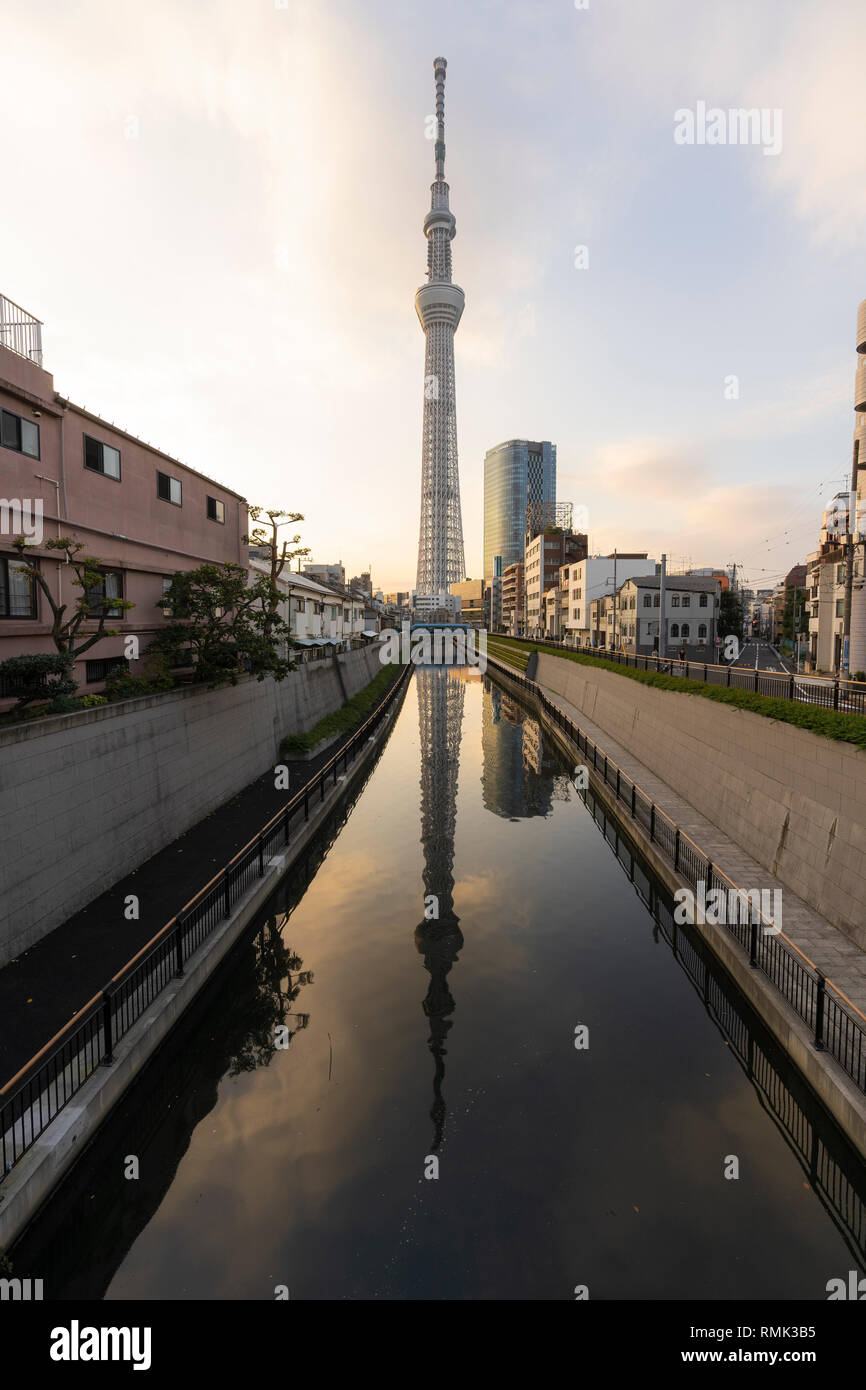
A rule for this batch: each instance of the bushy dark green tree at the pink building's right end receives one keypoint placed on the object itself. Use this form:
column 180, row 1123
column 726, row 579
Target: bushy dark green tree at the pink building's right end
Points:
column 223, row 626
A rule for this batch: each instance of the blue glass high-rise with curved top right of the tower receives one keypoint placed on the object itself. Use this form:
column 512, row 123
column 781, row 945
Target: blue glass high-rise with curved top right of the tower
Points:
column 519, row 477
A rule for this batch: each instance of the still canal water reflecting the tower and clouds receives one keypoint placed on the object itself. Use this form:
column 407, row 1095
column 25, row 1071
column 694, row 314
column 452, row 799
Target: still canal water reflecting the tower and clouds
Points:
column 416, row 1039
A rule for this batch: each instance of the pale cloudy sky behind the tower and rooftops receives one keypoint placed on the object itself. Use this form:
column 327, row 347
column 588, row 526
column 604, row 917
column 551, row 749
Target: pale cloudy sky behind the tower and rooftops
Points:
column 216, row 209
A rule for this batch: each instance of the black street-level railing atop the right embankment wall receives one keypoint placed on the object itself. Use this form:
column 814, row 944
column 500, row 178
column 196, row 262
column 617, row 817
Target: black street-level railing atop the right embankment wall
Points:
column 825, row 692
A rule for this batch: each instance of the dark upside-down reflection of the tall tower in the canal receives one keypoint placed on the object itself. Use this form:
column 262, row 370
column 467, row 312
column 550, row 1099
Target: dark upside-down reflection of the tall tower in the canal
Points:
column 439, row 938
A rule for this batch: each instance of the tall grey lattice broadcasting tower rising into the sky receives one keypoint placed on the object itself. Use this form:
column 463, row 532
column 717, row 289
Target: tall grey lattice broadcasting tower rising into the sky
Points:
column 440, row 306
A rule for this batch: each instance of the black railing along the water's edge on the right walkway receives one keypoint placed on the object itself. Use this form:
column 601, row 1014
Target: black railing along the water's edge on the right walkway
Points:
column 838, row 1025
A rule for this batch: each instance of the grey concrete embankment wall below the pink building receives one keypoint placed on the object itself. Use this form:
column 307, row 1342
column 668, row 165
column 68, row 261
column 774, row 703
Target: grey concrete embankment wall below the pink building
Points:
column 85, row 799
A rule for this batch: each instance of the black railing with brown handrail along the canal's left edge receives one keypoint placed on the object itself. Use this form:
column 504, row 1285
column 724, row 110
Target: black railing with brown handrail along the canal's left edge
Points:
column 37, row 1095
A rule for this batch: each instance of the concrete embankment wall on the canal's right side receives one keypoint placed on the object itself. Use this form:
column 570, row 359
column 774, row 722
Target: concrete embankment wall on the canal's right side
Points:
column 793, row 800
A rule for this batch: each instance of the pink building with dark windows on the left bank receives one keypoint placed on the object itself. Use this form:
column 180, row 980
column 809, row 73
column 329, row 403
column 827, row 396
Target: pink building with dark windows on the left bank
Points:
column 138, row 511
